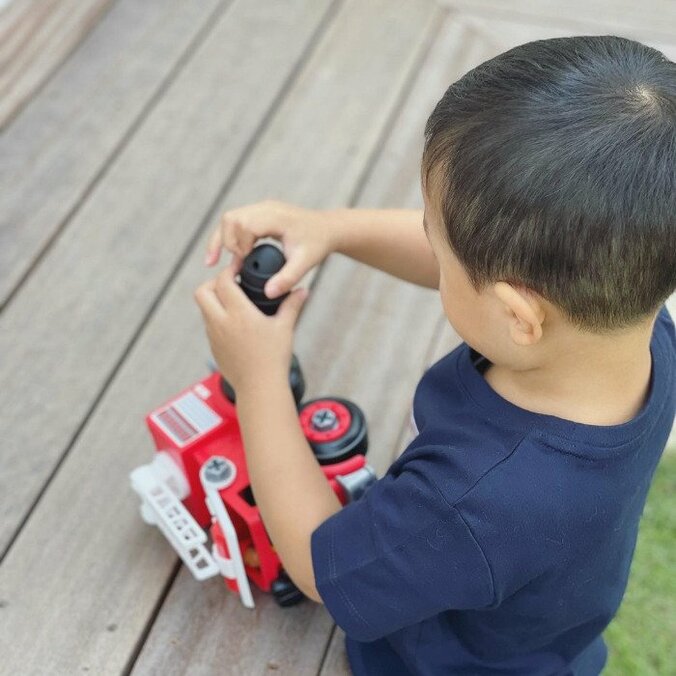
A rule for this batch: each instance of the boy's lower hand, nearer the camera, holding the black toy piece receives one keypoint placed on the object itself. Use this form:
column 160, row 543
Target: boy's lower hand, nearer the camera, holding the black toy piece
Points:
column 249, row 347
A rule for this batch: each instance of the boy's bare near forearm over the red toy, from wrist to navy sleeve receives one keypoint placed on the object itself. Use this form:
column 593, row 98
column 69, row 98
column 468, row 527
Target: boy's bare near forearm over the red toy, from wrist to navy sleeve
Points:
column 291, row 491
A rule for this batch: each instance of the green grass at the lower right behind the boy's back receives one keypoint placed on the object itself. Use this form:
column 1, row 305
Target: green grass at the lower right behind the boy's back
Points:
column 642, row 638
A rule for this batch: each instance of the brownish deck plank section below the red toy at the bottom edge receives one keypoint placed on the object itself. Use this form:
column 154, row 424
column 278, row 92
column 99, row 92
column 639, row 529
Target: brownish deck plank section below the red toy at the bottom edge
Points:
column 210, row 632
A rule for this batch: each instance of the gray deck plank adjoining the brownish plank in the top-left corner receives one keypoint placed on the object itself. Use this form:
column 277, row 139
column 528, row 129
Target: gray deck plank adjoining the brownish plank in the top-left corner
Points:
column 60, row 145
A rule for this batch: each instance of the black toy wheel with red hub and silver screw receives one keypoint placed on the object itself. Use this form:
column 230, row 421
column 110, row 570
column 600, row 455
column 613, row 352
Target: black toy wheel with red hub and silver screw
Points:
column 335, row 428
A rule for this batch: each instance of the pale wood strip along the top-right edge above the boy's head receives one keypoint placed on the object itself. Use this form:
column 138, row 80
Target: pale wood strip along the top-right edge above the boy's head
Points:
column 648, row 20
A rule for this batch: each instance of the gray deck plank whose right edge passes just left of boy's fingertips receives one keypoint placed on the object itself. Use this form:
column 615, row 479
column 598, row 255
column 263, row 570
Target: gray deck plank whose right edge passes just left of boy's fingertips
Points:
column 71, row 322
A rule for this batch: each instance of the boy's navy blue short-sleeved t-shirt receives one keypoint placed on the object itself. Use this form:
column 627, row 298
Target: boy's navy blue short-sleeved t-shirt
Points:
column 500, row 540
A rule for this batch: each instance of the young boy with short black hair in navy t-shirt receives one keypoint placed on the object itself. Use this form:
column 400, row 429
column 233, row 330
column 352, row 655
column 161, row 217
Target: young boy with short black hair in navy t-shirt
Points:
column 500, row 541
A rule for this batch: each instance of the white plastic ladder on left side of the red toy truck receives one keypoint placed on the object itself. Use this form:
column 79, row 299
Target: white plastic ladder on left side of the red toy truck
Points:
column 161, row 506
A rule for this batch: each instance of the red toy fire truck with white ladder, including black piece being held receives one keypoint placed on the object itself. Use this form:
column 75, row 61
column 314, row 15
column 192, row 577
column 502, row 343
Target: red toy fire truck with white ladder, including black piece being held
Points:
column 198, row 478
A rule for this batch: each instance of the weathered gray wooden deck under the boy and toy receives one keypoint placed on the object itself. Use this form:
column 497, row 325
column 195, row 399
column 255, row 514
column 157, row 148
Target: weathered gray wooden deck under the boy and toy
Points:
column 128, row 126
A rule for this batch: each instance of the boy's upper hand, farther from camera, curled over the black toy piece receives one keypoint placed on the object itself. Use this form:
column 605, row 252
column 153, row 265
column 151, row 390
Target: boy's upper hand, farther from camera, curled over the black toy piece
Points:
column 305, row 235
